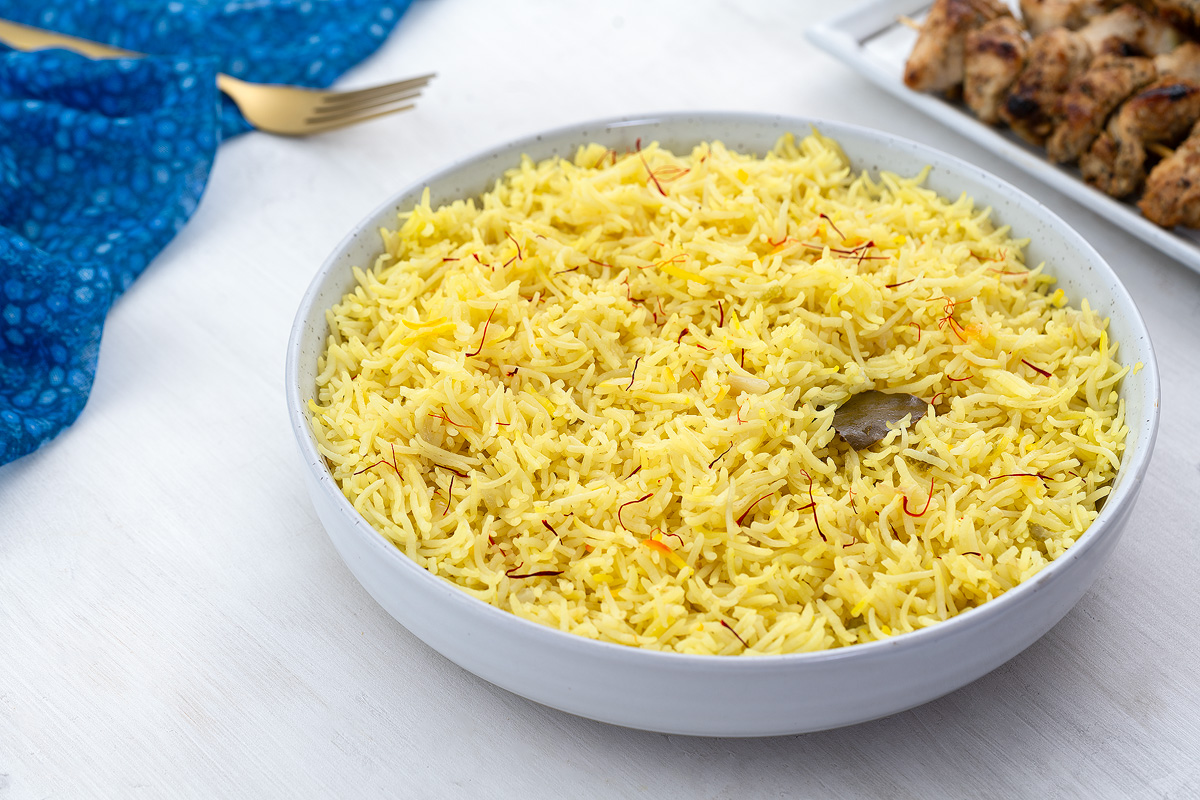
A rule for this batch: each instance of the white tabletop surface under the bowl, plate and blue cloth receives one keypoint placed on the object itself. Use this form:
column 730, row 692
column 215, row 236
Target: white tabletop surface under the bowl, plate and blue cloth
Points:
column 175, row 622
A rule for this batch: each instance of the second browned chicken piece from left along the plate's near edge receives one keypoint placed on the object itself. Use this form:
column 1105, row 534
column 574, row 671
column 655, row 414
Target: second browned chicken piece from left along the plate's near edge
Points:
column 995, row 56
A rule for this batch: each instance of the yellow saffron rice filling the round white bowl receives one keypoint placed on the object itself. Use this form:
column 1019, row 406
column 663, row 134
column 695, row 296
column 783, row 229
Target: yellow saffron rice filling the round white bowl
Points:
column 617, row 376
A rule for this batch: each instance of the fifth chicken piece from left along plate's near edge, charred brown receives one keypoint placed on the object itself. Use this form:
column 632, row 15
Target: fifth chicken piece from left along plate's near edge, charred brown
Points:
column 1160, row 115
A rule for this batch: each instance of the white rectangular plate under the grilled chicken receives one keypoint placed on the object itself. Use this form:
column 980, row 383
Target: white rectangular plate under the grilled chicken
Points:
column 872, row 40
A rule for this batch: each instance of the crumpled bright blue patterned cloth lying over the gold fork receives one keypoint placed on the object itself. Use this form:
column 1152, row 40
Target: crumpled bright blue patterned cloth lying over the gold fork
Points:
column 103, row 163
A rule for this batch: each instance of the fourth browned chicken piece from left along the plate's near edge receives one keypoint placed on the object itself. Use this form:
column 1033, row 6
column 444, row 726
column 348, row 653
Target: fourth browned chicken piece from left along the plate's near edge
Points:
column 1089, row 101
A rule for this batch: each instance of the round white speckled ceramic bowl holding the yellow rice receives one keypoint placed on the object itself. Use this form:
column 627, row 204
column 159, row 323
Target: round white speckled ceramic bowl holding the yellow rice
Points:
column 730, row 696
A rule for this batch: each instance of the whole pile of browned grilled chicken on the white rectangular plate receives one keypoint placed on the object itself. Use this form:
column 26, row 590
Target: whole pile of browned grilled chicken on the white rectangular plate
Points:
column 1107, row 86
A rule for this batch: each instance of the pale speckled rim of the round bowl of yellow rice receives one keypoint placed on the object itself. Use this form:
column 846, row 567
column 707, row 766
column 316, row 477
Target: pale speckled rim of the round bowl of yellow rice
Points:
column 1136, row 460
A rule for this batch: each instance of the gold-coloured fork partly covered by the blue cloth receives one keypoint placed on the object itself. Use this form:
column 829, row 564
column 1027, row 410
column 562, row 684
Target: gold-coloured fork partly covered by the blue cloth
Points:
column 287, row 111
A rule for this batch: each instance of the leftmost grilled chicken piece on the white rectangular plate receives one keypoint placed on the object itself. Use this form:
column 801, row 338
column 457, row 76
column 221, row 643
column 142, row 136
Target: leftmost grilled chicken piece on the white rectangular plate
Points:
column 937, row 63
